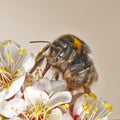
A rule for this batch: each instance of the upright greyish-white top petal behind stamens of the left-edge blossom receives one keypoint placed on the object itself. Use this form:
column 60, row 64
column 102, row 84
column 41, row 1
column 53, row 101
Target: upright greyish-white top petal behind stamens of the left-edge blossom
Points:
column 14, row 56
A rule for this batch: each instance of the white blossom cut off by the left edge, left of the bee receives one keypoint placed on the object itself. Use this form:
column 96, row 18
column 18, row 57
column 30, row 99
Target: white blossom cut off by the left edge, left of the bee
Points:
column 13, row 65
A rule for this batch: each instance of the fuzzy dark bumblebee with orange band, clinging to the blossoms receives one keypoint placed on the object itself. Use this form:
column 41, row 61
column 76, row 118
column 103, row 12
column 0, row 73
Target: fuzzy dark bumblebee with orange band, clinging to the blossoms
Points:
column 69, row 55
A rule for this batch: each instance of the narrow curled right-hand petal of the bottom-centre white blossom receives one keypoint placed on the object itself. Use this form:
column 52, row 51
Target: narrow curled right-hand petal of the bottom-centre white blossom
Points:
column 59, row 99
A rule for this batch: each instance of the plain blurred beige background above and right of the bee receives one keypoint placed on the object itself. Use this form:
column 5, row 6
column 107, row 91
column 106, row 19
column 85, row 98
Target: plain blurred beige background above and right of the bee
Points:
column 97, row 22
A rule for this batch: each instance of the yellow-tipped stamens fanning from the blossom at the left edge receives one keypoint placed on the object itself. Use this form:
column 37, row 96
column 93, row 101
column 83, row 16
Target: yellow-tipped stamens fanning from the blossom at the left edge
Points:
column 10, row 65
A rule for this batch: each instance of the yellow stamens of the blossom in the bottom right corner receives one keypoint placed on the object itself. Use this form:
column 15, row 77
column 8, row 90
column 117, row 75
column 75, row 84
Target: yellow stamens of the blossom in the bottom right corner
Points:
column 91, row 107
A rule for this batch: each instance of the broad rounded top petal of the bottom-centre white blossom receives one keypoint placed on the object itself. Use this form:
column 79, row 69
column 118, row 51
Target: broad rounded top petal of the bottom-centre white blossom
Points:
column 33, row 95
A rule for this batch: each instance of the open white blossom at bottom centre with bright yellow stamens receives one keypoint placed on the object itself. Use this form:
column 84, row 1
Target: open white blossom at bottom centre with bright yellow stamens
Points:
column 37, row 105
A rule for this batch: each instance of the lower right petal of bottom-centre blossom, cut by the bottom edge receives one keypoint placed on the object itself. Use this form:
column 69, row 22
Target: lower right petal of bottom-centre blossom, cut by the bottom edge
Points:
column 55, row 115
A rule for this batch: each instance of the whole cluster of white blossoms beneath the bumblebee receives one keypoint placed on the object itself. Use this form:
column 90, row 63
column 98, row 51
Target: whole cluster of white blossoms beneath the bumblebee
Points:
column 25, row 96
